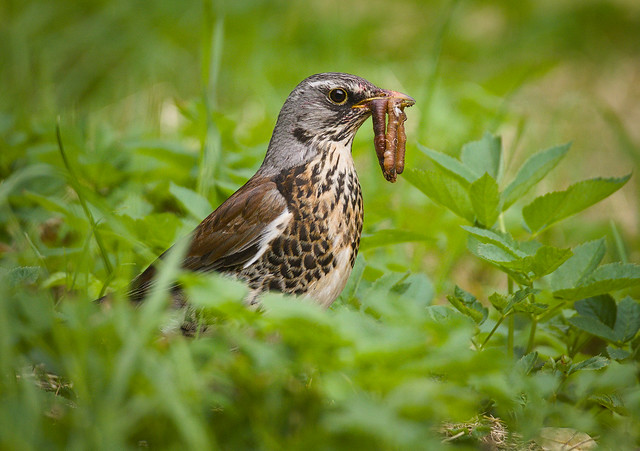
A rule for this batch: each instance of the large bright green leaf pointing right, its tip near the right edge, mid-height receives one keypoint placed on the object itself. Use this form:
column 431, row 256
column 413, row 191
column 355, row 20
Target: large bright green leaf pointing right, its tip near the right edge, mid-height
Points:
column 553, row 207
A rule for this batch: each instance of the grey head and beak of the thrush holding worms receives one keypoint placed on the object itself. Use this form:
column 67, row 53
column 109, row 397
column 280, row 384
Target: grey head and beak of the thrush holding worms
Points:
column 323, row 109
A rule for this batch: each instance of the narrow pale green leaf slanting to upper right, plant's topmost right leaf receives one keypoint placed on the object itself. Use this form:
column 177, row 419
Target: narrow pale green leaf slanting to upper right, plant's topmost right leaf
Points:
column 531, row 172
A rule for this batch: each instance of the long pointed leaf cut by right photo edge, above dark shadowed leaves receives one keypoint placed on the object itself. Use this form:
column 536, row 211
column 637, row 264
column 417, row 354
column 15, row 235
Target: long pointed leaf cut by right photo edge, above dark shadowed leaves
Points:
column 607, row 278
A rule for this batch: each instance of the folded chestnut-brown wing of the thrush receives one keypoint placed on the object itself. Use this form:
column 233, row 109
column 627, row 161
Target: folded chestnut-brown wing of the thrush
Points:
column 228, row 237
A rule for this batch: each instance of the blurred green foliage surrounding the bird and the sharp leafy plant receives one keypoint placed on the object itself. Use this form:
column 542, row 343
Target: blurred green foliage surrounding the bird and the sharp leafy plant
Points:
column 166, row 107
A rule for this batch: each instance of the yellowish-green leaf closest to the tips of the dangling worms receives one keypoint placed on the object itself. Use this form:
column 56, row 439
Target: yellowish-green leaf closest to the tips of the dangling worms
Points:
column 443, row 189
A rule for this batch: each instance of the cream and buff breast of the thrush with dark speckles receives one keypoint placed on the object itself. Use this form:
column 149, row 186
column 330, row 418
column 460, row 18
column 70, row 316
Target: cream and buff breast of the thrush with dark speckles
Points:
column 316, row 251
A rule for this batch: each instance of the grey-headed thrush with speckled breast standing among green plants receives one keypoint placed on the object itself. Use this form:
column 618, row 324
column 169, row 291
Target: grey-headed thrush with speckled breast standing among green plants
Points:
column 294, row 227
